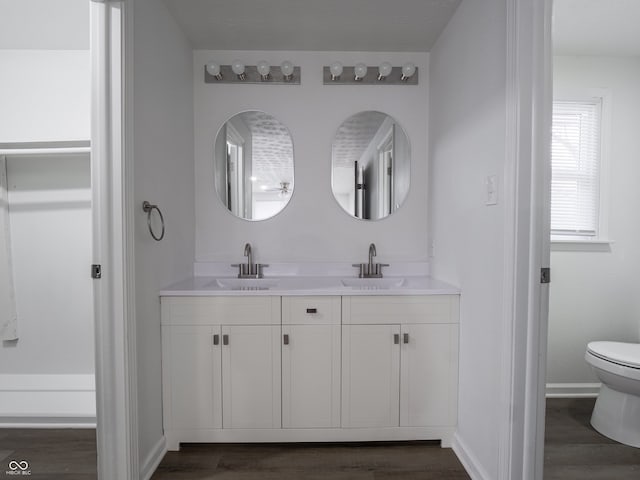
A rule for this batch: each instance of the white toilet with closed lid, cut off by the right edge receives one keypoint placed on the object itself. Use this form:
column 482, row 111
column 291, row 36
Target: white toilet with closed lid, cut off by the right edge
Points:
column 617, row 410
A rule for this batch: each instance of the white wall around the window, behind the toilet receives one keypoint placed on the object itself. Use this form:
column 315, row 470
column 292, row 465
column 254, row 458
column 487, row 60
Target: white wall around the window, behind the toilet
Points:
column 594, row 294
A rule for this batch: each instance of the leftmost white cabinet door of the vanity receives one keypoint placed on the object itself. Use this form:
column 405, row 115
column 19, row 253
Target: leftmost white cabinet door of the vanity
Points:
column 191, row 377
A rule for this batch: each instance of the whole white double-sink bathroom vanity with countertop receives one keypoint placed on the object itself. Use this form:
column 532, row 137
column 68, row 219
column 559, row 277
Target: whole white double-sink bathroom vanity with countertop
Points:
column 309, row 359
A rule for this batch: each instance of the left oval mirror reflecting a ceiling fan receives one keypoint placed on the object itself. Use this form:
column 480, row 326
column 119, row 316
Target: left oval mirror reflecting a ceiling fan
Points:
column 253, row 165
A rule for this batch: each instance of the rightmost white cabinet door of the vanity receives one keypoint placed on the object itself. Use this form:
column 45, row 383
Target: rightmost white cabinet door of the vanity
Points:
column 429, row 365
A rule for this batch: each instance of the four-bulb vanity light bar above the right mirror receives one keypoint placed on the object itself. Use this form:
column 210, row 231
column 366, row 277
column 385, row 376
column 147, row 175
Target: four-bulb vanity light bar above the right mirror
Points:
column 361, row 74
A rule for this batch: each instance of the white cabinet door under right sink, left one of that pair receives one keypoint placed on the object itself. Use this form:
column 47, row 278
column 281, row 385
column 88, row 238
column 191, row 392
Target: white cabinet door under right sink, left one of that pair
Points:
column 370, row 375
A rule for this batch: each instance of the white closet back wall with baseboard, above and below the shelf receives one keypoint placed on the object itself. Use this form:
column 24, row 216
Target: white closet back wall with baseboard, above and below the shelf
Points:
column 49, row 371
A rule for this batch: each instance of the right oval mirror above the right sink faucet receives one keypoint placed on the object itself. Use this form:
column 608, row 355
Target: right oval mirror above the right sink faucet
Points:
column 370, row 165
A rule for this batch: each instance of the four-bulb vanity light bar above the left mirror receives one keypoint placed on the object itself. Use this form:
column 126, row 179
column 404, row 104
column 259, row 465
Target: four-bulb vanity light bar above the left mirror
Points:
column 263, row 73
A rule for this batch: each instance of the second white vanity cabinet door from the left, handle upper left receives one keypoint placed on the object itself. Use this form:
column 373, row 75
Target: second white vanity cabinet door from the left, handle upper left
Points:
column 251, row 376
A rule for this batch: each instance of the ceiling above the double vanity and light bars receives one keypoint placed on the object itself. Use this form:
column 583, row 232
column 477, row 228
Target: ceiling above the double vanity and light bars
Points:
column 318, row 25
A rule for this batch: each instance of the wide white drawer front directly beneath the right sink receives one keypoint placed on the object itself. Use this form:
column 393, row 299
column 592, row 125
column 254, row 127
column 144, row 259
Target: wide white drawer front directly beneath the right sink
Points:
column 385, row 309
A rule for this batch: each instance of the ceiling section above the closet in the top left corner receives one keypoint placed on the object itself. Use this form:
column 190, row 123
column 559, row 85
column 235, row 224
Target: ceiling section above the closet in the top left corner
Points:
column 44, row 24
